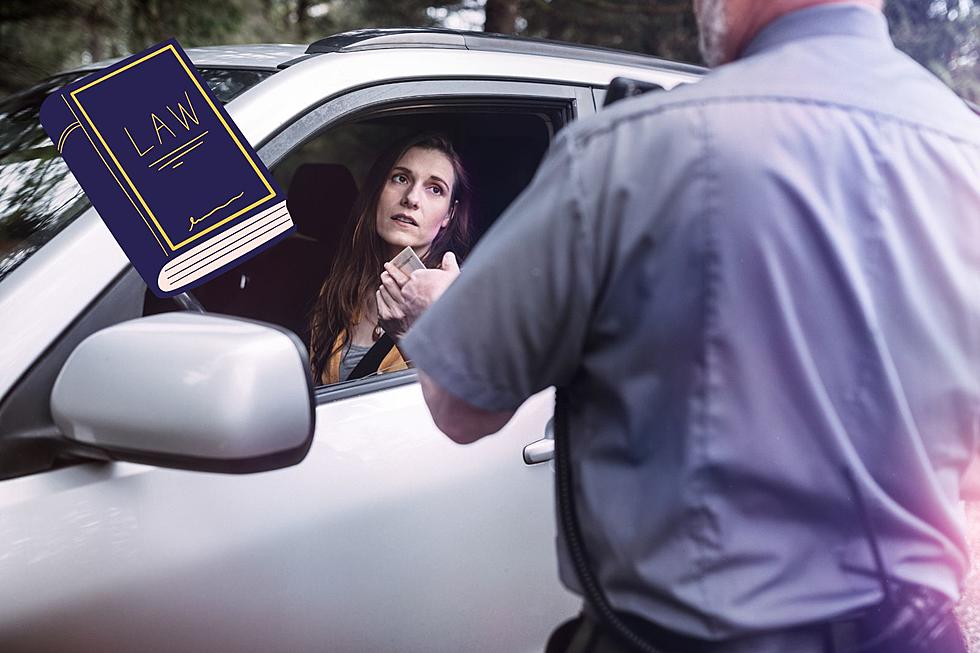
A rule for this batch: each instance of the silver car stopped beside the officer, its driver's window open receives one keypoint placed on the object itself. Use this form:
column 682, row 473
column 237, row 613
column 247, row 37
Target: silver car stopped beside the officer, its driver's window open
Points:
column 369, row 531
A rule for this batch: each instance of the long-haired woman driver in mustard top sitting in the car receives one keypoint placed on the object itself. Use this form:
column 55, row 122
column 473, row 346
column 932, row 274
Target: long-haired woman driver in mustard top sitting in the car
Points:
column 415, row 195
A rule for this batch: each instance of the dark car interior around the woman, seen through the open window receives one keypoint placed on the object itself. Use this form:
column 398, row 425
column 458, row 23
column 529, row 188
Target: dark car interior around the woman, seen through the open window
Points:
column 321, row 177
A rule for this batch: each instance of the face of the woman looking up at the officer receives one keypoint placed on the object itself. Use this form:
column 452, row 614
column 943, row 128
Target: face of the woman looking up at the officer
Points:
column 414, row 203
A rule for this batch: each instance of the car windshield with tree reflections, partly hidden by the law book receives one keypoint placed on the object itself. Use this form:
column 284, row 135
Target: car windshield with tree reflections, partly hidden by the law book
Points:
column 38, row 194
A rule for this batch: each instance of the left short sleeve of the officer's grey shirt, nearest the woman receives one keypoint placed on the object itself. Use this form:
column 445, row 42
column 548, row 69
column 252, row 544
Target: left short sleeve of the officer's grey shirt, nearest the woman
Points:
column 515, row 320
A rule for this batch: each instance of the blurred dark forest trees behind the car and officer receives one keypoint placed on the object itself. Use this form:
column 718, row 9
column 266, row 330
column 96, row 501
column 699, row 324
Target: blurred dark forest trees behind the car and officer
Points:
column 40, row 37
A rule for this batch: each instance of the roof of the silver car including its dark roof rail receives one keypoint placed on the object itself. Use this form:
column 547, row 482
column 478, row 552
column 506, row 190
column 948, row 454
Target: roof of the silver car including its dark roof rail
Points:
column 273, row 56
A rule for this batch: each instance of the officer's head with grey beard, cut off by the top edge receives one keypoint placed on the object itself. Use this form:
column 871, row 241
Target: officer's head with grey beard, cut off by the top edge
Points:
column 727, row 26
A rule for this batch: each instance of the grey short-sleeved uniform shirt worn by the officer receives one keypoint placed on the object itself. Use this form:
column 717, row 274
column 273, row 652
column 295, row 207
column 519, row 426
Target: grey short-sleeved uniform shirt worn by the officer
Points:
column 743, row 286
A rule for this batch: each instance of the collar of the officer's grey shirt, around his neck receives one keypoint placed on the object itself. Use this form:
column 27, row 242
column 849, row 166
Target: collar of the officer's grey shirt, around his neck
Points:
column 822, row 20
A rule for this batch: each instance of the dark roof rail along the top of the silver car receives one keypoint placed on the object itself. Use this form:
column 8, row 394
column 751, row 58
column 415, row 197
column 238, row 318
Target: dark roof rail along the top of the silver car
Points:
column 414, row 37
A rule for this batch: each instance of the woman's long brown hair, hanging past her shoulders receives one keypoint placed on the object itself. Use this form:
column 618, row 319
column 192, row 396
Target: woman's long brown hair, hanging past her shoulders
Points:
column 356, row 269
